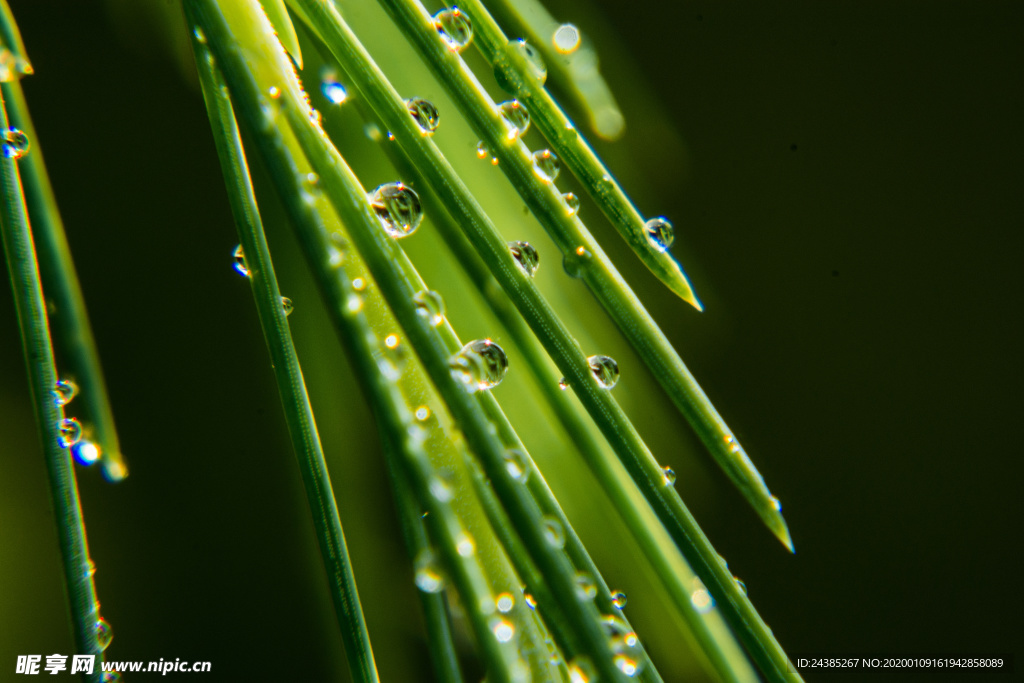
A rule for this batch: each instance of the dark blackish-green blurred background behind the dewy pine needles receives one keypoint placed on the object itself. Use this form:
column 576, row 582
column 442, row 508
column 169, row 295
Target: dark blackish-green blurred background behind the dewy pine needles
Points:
column 845, row 182
